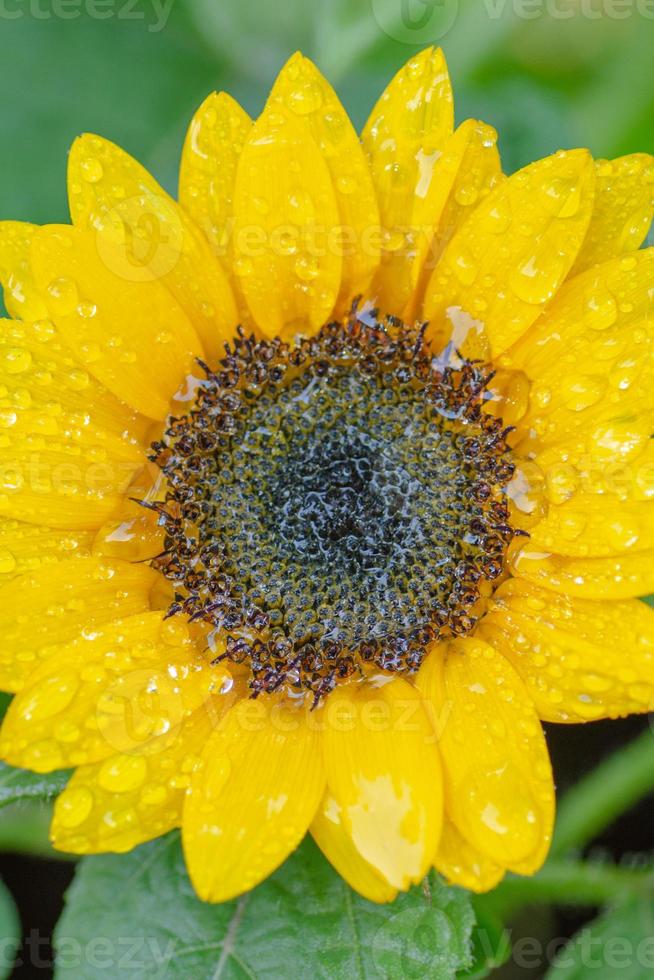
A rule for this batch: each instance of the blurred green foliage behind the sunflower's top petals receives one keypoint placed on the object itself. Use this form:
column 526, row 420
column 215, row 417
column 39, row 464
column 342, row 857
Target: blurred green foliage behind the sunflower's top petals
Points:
column 547, row 75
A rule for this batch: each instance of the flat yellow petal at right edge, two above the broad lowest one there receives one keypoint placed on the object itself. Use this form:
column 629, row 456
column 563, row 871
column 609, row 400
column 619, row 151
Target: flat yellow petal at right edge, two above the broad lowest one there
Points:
column 595, row 526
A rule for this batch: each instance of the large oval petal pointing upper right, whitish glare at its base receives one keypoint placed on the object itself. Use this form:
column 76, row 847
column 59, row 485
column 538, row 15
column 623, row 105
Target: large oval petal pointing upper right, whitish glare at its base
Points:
column 511, row 255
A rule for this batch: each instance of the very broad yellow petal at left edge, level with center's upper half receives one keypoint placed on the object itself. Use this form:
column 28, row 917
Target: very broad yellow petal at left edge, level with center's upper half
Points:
column 70, row 448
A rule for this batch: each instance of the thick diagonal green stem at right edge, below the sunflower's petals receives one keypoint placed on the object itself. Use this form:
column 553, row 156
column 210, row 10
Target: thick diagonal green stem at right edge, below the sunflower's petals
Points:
column 610, row 789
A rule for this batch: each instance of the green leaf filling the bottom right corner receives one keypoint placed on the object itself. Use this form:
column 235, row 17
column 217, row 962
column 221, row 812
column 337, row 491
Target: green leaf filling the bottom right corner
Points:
column 620, row 943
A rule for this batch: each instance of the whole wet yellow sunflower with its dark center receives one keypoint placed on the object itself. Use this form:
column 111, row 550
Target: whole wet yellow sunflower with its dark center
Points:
column 322, row 487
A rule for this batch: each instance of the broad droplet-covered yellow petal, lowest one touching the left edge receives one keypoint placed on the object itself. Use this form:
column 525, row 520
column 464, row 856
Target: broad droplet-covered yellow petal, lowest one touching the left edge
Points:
column 112, row 690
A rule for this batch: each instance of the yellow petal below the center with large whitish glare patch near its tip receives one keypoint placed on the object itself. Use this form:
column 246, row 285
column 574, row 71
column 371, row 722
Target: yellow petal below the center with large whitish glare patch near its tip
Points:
column 384, row 772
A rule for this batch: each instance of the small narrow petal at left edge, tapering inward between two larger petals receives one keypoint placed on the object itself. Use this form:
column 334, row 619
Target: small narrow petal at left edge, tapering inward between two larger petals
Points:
column 28, row 547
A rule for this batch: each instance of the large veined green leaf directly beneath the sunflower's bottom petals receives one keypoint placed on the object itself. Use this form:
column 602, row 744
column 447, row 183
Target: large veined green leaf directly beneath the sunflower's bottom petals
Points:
column 304, row 922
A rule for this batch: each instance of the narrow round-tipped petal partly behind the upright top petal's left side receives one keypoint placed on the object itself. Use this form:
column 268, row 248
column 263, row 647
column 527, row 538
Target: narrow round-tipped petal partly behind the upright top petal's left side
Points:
column 214, row 142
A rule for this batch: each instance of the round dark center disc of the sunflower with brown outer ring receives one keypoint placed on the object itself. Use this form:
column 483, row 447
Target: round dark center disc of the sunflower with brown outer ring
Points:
column 334, row 505
